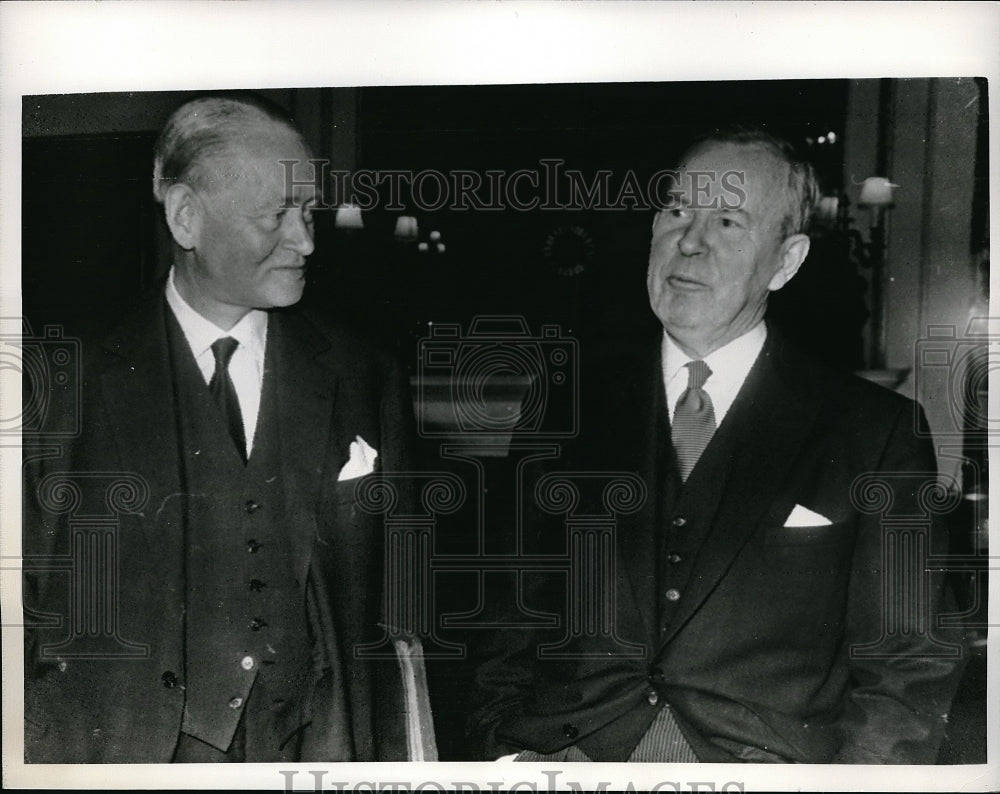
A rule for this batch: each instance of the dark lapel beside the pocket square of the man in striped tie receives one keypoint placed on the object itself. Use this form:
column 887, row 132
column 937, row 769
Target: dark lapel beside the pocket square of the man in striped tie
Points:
column 770, row 421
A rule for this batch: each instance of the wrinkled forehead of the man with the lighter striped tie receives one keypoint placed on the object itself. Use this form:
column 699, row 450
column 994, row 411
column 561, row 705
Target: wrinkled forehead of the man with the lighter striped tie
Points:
column 728, row 174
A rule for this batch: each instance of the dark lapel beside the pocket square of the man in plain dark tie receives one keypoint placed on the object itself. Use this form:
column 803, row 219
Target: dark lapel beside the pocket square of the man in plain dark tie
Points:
column 301, row 360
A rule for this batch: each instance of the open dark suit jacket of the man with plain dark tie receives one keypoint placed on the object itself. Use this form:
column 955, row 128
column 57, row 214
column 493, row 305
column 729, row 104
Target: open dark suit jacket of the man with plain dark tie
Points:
column 114, row 692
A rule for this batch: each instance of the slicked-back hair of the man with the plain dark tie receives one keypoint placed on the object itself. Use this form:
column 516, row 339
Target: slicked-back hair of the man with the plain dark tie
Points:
column 201, row 130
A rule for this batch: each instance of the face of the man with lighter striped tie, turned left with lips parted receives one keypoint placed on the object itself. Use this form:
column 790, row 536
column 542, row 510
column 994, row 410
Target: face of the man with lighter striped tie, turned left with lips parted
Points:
column 711, row 267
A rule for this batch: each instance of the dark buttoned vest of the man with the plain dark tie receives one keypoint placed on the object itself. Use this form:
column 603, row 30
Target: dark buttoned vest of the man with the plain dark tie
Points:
column 248, row 645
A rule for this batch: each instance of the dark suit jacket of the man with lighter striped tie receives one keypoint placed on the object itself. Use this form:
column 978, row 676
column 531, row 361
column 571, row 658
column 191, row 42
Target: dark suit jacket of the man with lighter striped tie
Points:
column 798, row 644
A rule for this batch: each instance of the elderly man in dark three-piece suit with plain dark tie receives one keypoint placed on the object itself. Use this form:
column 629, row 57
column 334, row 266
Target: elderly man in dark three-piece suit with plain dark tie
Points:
column 242, row 576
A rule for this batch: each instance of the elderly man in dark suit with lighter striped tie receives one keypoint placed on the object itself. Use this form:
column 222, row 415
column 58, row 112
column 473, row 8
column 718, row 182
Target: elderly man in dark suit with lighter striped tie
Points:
column 765, row 608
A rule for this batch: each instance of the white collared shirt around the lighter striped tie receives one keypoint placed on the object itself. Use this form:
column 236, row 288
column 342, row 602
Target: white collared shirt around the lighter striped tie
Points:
column 730, row 365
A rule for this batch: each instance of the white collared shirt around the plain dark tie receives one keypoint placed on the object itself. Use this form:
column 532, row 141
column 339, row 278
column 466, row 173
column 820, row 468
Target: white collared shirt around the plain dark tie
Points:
column 246, row 367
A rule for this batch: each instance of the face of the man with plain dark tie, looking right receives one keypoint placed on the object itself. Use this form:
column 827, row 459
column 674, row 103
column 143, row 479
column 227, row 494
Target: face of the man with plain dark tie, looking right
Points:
column 250, row 245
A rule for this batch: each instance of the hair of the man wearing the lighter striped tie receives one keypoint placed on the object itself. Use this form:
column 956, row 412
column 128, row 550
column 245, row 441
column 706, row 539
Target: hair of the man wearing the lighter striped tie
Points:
column 803, row 188
